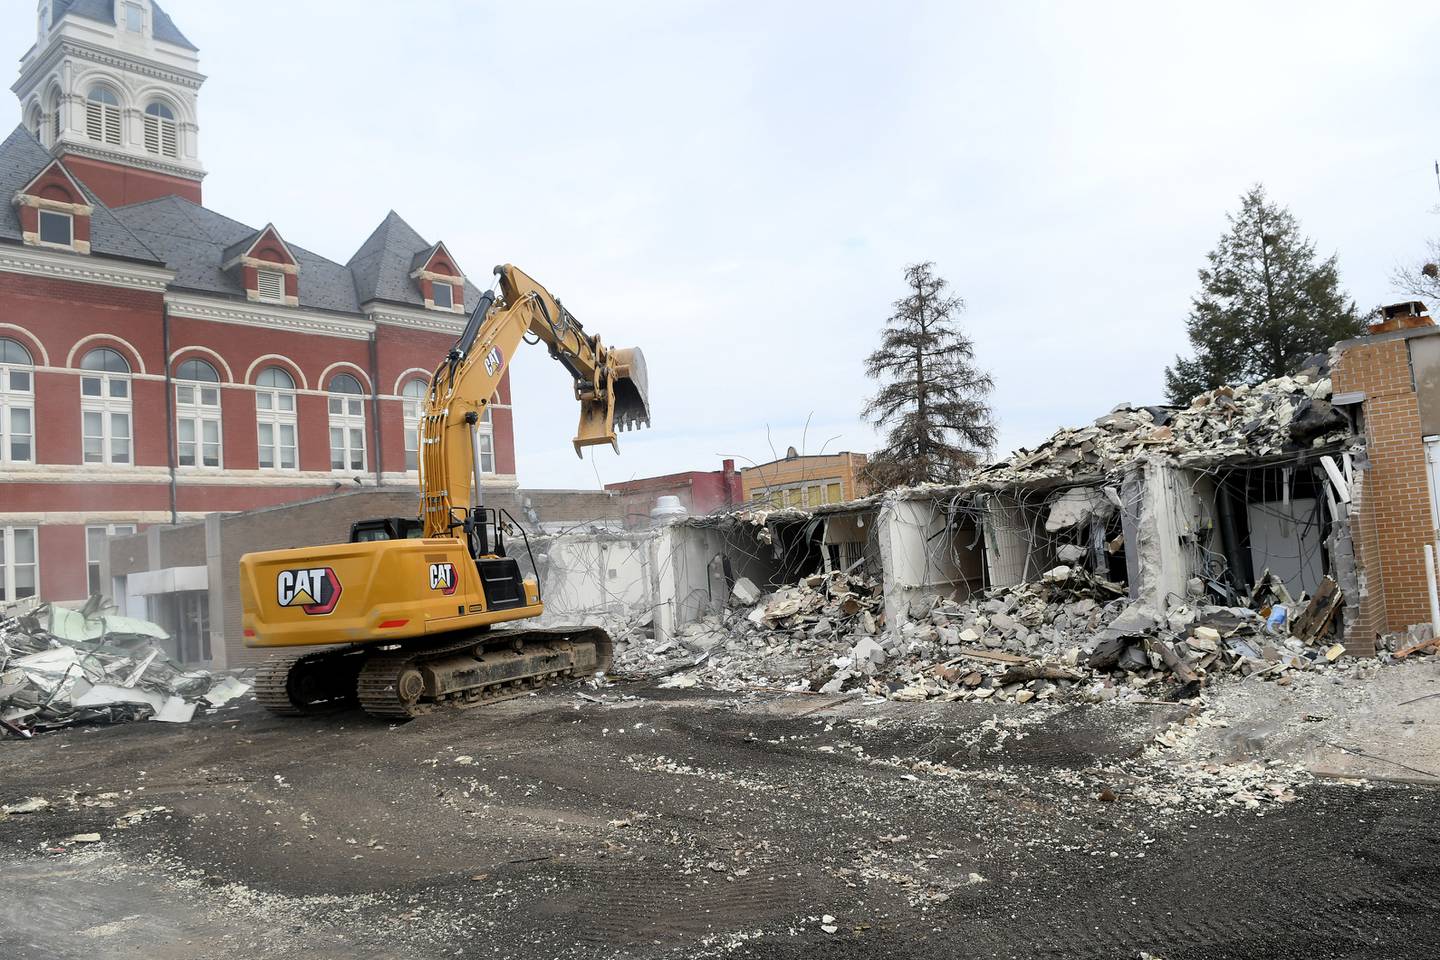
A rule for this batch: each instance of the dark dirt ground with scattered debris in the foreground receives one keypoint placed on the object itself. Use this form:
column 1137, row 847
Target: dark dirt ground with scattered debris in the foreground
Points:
column 688, row 824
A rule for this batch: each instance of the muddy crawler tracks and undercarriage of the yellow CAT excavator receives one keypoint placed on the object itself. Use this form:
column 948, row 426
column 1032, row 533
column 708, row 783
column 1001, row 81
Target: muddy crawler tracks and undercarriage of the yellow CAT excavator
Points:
column 401, row 683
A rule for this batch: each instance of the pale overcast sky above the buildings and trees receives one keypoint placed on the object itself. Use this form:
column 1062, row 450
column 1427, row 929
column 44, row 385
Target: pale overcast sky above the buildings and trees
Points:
column 737, row 188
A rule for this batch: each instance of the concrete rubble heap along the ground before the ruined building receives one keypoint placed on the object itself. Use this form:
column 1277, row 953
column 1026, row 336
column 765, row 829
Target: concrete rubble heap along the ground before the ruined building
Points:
column 1071, row 635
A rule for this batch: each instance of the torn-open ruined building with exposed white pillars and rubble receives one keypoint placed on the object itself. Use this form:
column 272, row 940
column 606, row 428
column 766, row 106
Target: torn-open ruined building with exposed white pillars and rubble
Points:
column 1154, row 548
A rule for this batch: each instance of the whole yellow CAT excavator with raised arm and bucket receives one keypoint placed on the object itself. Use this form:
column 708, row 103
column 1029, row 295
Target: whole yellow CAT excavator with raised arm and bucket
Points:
column 408, row 615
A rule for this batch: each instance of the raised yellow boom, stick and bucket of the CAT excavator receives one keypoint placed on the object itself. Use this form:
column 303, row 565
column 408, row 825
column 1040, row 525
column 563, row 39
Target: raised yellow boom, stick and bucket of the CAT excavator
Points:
column 610, row 384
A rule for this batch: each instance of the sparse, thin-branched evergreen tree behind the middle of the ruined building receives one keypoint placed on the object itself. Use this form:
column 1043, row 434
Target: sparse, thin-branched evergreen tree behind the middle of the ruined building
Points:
column 932, row 398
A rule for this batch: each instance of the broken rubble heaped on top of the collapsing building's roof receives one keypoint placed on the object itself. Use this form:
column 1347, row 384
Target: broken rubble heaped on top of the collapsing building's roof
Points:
column 1269, row 418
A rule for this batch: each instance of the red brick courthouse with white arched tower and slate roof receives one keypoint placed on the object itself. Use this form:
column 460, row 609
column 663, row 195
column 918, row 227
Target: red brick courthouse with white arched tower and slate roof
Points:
column 159, row 361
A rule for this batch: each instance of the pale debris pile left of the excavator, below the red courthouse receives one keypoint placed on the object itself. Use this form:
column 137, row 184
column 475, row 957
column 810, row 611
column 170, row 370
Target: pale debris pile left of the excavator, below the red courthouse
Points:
column 61, row 667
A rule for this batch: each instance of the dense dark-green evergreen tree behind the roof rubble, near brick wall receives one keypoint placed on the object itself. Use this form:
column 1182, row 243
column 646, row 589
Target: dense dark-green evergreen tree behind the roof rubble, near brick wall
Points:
column 1266, row 304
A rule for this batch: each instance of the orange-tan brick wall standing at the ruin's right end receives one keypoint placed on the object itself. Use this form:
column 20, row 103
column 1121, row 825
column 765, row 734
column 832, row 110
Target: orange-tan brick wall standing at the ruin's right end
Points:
column 1392, row 523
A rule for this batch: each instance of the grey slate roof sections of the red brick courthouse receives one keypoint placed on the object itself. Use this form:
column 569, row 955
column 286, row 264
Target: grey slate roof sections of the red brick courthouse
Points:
column 197, row 243
